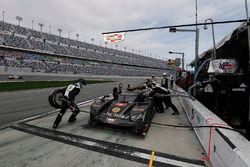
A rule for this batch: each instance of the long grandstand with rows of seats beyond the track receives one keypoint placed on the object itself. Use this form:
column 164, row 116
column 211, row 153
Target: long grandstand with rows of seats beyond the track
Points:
column 43, row 52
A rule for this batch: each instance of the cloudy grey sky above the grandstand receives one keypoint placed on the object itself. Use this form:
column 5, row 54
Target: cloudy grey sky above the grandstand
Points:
column 90, row 18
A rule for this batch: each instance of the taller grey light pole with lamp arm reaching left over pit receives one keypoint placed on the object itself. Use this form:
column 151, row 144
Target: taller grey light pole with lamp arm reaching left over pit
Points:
column 173, row 29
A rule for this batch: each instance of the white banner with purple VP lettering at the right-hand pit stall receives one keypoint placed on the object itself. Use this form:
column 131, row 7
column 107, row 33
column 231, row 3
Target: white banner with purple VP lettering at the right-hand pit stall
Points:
column 222, row 66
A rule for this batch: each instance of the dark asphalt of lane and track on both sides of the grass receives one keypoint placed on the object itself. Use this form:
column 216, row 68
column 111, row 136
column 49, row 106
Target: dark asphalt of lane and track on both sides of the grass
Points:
column 22, row 104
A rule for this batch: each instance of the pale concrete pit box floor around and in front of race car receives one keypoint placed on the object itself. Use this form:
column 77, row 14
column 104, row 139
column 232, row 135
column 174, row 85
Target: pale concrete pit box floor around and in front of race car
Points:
column 73, row 145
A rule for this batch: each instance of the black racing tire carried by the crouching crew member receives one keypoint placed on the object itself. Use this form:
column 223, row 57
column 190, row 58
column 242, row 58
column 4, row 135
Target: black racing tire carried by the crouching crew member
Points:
column 55, row 98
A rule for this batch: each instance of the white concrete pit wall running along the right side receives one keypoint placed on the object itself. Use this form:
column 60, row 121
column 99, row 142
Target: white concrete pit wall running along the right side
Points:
column 223, row 147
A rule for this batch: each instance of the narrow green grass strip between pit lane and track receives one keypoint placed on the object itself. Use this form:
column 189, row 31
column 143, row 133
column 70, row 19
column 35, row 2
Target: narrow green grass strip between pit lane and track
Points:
column 16, row 86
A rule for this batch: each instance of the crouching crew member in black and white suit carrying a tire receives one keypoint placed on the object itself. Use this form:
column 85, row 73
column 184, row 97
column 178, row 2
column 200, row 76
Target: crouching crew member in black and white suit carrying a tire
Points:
column 71, row 91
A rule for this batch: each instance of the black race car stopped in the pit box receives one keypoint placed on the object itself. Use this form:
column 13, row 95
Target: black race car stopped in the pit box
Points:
column 132, row 110
